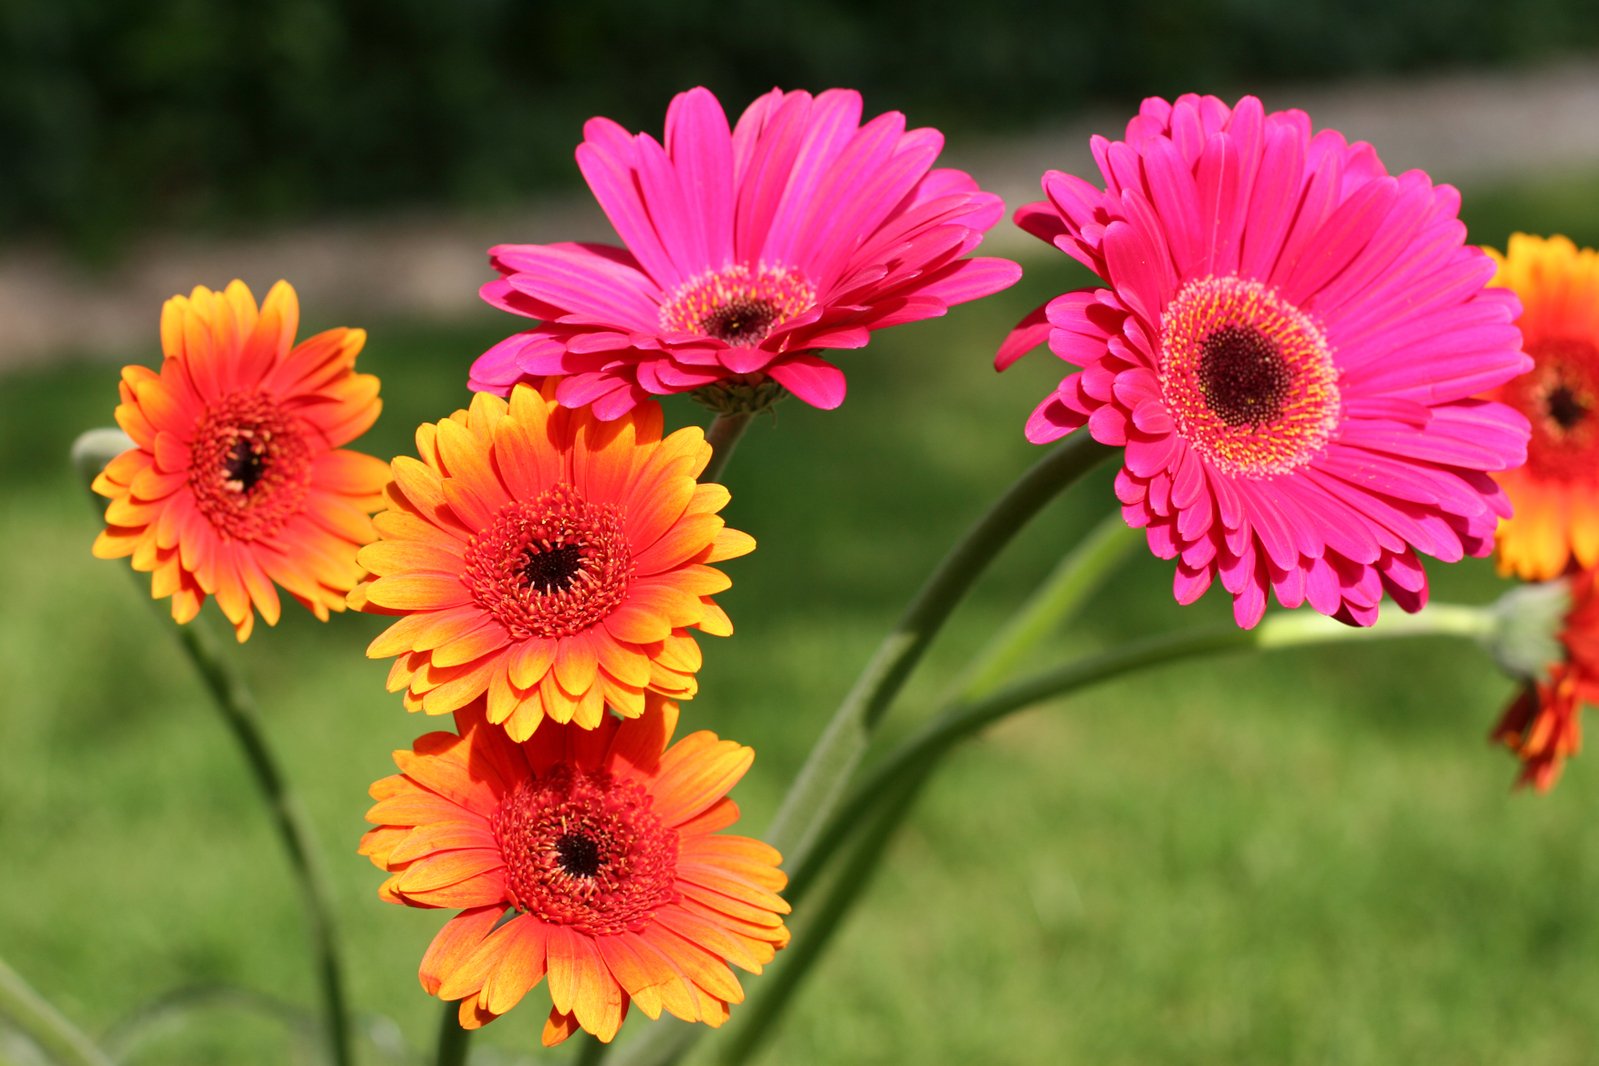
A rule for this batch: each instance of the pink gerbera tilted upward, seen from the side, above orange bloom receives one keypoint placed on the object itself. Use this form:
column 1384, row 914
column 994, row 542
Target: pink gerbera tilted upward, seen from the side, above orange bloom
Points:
column 748, row 253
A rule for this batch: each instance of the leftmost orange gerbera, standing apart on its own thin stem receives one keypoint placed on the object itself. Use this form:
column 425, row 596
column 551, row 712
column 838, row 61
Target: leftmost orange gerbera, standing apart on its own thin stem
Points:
column 236, row 479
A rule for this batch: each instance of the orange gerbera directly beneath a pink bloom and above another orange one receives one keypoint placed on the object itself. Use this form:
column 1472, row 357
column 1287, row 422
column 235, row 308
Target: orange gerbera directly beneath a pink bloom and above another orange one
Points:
column 549, row 560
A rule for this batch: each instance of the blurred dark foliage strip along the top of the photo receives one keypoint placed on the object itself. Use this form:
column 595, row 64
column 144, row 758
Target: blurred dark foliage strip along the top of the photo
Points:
column 124, row 114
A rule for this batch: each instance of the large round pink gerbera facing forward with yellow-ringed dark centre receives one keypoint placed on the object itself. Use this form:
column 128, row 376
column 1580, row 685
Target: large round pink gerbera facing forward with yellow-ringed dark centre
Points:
column 1290, row 349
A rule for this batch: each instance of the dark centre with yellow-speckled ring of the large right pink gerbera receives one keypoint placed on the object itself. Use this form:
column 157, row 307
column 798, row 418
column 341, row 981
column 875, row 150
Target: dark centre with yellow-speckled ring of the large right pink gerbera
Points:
column 1250, row 378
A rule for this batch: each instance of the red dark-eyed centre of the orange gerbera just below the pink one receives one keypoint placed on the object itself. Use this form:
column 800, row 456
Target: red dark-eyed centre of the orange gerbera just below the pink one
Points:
column 551, row 567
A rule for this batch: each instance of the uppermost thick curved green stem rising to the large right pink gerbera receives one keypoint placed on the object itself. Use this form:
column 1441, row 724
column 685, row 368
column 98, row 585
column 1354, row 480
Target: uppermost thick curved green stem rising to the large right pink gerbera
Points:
column 835, row 757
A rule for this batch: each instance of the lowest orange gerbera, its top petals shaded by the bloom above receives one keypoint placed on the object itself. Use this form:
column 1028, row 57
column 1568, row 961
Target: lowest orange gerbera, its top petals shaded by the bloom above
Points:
column 589, row 857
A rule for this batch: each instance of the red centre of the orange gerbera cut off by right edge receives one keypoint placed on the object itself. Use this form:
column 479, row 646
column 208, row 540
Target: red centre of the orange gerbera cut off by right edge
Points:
column 1560, row 396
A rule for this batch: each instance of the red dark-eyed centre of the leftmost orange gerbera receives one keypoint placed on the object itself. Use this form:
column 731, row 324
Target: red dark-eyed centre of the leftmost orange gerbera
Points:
column 249, row 466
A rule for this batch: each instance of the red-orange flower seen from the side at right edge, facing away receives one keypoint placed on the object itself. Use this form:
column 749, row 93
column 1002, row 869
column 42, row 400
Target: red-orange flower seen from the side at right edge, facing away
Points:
column 1542, row 726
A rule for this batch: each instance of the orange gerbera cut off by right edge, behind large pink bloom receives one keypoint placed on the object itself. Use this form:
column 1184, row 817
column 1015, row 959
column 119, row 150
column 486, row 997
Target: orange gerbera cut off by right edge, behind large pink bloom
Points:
column 1557, row 495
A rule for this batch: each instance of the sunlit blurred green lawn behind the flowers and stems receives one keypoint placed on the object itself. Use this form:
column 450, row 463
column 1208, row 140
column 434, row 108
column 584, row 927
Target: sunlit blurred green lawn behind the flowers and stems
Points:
column 1301, row 859
